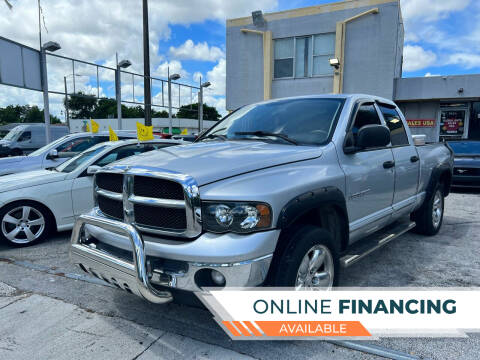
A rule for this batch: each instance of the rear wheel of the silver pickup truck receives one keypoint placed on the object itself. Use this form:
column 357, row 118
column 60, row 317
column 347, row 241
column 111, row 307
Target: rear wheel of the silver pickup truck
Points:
column 429, row 217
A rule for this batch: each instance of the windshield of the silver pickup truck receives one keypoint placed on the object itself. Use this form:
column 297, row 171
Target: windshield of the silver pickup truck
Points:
column 305, row 121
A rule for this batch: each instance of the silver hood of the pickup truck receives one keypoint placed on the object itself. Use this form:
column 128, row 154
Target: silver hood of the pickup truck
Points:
column 212, row 161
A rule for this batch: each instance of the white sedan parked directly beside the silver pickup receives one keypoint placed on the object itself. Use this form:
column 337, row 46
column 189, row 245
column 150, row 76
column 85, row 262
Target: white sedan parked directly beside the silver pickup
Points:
column 34, row 203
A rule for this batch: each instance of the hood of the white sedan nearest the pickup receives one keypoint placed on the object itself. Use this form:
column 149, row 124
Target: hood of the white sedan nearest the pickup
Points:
column 28, row 179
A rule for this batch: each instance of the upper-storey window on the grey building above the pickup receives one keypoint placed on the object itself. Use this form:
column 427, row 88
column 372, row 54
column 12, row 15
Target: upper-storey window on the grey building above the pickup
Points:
column 296, row 57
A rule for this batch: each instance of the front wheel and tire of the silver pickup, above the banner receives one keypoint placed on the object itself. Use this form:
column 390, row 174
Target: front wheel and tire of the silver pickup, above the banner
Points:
column 303, row 243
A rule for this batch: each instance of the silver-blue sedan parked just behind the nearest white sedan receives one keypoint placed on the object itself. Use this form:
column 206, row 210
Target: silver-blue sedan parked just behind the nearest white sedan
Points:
column 57, row 152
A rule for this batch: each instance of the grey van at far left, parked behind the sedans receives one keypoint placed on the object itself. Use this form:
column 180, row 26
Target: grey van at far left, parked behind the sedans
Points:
column 24, row 139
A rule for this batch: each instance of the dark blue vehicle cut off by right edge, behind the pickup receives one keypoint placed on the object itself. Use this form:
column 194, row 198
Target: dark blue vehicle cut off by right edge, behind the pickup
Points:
column 466, row 166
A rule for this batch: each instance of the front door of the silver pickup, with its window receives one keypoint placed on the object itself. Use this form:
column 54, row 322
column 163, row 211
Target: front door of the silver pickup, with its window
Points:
column 369, row 175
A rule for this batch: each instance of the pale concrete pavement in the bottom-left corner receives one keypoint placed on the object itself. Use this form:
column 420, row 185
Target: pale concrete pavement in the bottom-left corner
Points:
column 39, row 327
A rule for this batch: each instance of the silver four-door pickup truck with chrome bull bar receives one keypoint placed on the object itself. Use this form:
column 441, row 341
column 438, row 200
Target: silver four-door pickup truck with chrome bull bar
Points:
column 279, row 193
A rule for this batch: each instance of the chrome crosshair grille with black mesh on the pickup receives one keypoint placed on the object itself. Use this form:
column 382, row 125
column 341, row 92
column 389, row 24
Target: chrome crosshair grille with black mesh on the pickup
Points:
column 154, row 205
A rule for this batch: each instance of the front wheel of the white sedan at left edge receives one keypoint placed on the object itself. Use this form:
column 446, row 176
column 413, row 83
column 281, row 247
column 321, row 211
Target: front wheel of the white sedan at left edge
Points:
column 24, row 223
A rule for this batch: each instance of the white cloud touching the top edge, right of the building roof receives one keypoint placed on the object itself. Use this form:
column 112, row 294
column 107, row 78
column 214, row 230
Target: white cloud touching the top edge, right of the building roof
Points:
column 431, row 10
